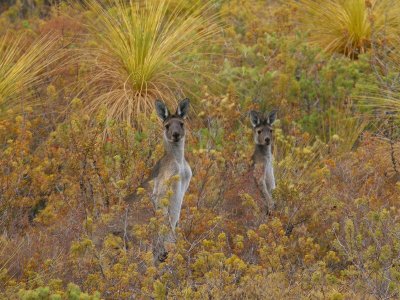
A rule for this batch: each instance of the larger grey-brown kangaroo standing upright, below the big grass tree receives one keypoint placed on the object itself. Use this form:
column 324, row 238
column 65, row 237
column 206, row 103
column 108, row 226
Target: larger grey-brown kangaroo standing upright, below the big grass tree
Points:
column 172, row 164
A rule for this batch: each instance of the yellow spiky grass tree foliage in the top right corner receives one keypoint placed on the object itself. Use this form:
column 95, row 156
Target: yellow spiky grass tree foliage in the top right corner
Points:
column 350, row 26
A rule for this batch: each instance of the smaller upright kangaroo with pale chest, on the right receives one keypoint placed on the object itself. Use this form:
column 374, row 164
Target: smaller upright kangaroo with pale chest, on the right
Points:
column 262, row 156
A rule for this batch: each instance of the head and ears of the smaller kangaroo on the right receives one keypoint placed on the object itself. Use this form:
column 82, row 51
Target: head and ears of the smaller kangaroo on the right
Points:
column 262, row 127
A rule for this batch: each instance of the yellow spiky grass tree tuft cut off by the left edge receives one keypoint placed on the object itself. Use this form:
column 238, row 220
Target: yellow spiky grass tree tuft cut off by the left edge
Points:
column 22, row 68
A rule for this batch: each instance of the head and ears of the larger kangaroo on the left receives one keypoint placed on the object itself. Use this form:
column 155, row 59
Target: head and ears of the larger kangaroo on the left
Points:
column 174, row 126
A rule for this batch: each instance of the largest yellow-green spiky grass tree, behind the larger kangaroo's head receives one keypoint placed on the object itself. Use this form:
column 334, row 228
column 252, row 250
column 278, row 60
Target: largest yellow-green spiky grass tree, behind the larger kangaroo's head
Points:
column 144, row 50
